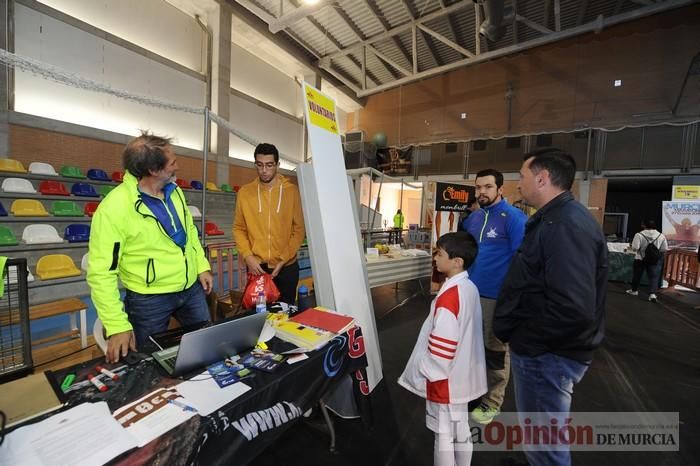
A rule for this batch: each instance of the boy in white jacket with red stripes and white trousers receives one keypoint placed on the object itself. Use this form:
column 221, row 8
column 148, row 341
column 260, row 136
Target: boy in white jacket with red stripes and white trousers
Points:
column 447, row 365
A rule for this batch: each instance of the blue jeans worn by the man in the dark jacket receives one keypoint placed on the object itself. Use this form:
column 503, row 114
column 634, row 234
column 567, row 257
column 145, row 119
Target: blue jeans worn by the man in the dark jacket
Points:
column 544, row 384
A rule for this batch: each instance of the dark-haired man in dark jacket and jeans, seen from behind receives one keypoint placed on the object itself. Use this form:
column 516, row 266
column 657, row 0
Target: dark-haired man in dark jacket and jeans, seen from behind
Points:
column 552, row 304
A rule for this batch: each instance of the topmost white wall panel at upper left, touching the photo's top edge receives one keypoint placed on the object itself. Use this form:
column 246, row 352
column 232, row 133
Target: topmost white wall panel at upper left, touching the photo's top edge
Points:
column 152, row 24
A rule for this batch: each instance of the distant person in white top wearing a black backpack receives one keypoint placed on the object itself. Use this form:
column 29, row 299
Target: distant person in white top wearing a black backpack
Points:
column 648, row 246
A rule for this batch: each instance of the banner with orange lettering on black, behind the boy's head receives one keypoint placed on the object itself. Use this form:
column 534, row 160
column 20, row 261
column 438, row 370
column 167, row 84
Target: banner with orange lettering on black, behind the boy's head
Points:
column 451, row 200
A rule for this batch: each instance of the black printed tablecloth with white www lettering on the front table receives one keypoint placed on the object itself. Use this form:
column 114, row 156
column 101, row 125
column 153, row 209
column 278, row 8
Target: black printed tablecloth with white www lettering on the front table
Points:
column 238, row 431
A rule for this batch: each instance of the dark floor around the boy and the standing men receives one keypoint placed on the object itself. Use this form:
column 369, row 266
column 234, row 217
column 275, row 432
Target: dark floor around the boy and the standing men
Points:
column 650, row 361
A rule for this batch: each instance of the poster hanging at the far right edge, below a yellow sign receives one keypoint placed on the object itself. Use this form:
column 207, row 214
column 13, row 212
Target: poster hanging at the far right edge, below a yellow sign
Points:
column 681, row 224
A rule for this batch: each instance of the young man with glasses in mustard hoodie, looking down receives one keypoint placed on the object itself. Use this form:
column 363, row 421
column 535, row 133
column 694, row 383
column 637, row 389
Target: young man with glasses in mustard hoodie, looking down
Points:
column 269, row 225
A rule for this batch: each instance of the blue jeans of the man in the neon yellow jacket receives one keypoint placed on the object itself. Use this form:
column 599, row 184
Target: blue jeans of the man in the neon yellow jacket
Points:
column 150, row 313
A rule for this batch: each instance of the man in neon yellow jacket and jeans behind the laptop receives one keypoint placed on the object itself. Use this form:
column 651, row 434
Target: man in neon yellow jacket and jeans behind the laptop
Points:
column 143, row 234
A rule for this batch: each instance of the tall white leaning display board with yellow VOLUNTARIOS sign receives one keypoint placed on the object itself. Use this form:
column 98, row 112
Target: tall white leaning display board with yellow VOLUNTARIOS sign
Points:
column 333, row 230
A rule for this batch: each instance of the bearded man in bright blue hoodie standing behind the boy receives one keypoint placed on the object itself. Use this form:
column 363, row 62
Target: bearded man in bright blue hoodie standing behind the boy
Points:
column 498, row 228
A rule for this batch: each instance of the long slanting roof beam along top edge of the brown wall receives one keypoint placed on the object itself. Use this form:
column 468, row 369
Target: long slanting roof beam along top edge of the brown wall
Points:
column 593, row 26
